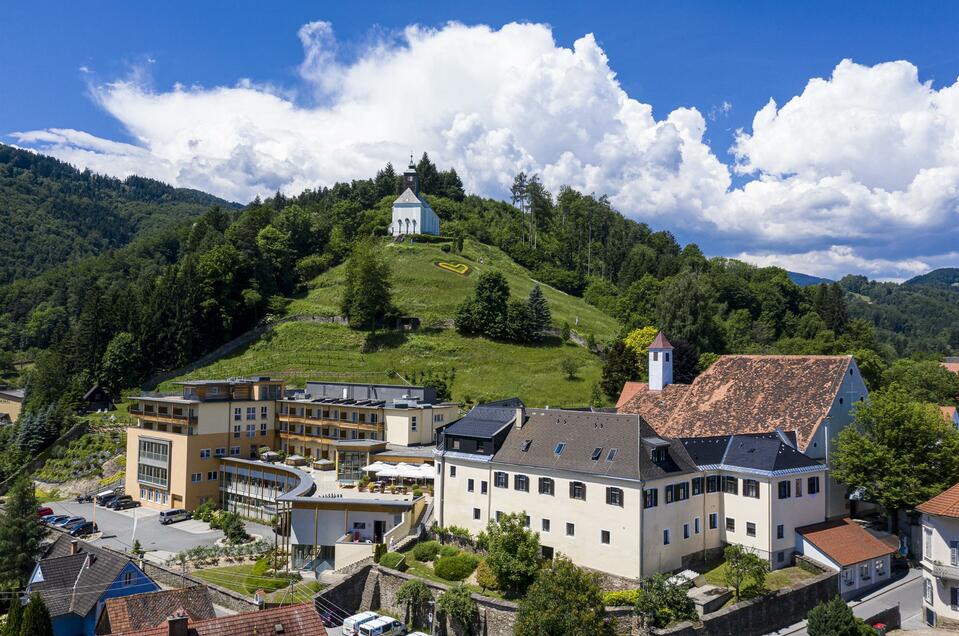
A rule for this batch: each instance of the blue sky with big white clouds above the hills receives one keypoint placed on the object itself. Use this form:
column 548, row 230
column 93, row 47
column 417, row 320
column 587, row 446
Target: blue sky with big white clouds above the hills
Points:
column 137, row 86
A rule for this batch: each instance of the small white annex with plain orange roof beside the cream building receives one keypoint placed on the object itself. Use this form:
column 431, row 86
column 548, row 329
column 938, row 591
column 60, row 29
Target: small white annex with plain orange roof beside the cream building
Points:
column 863, row 561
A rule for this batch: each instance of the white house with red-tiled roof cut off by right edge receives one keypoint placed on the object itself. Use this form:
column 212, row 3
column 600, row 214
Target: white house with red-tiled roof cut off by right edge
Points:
column 940, row 559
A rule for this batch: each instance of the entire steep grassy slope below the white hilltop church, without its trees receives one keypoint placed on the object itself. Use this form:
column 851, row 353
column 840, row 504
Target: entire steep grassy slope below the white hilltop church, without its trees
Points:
column 485, row 369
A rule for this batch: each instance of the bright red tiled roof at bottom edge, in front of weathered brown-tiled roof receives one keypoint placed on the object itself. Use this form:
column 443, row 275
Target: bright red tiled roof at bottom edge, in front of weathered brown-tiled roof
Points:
column 297, row 620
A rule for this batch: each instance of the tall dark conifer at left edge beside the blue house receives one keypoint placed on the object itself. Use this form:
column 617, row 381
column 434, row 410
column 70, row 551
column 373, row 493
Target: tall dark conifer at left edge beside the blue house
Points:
column 20, row 535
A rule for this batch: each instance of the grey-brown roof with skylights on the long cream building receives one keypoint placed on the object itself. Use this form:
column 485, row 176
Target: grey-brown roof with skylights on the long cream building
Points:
column 582, row 433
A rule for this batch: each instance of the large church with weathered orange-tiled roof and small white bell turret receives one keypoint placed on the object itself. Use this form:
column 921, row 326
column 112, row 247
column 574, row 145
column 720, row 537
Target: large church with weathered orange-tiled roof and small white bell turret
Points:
column 810, row 396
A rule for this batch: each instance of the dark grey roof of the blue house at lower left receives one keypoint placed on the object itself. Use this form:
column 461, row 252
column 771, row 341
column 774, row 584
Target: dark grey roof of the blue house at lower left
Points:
column 71, row 584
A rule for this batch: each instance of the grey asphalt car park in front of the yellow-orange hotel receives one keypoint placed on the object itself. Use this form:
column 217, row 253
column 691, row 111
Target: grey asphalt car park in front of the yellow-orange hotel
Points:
column 119, row 528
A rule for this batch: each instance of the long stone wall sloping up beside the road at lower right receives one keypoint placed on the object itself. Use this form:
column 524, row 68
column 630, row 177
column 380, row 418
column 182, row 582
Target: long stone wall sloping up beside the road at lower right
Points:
column 763, row 614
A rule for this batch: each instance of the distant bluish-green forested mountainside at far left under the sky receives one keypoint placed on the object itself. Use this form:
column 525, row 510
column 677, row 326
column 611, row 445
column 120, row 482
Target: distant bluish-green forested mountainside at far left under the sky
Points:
column 52, row 213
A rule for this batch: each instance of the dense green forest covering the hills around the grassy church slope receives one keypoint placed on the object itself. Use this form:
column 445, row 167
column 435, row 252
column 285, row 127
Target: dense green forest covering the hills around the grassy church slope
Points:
column 181, row 289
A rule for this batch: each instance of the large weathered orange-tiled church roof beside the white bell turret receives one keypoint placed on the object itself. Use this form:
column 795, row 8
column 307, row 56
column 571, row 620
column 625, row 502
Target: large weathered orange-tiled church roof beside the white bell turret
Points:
column 741, row 394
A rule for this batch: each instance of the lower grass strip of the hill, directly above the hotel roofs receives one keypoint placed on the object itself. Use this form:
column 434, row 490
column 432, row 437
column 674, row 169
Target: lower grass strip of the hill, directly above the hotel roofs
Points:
column 485, row 370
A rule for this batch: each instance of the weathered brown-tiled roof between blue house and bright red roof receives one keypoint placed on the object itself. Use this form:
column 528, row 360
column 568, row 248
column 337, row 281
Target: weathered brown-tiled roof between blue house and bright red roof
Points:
column 151, row 609
